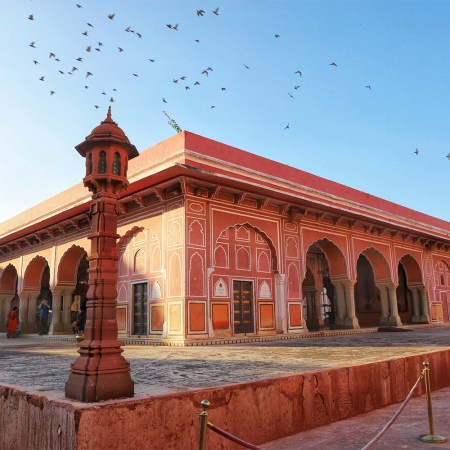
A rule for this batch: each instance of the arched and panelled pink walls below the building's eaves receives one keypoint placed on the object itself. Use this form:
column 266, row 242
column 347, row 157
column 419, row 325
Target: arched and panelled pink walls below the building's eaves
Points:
column 249, row 285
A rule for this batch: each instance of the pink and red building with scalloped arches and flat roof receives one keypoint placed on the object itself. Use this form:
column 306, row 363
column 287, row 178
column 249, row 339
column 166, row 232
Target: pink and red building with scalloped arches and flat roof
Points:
column 217, row 244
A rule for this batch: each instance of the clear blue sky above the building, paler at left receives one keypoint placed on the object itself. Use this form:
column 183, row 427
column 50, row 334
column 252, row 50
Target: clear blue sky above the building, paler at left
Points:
column 338, row 128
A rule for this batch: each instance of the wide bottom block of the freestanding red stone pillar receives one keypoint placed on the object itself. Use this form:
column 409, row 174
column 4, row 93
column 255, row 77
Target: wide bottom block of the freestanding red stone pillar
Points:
column 90, row 388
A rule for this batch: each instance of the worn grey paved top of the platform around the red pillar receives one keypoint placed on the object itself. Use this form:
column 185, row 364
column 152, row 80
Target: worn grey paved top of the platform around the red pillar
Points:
column 43, row 364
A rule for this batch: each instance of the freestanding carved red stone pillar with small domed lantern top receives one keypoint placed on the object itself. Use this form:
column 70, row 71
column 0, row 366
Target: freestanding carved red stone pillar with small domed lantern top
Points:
column 101, row 372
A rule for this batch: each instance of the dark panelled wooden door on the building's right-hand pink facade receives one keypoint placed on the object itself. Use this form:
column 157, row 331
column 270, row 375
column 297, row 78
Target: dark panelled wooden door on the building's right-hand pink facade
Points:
column 243, row 307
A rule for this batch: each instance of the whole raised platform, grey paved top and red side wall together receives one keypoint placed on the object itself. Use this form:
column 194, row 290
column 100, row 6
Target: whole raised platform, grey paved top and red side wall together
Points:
column 274, row 389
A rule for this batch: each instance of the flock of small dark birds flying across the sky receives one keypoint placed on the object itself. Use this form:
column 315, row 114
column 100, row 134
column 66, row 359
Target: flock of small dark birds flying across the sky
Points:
column 79, row 61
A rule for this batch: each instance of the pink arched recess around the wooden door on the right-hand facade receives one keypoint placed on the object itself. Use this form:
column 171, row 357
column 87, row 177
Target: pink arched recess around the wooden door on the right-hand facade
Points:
column 242, row 283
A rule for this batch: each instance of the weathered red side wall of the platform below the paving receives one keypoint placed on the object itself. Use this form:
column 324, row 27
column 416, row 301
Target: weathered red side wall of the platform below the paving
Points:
column 257, row 412
